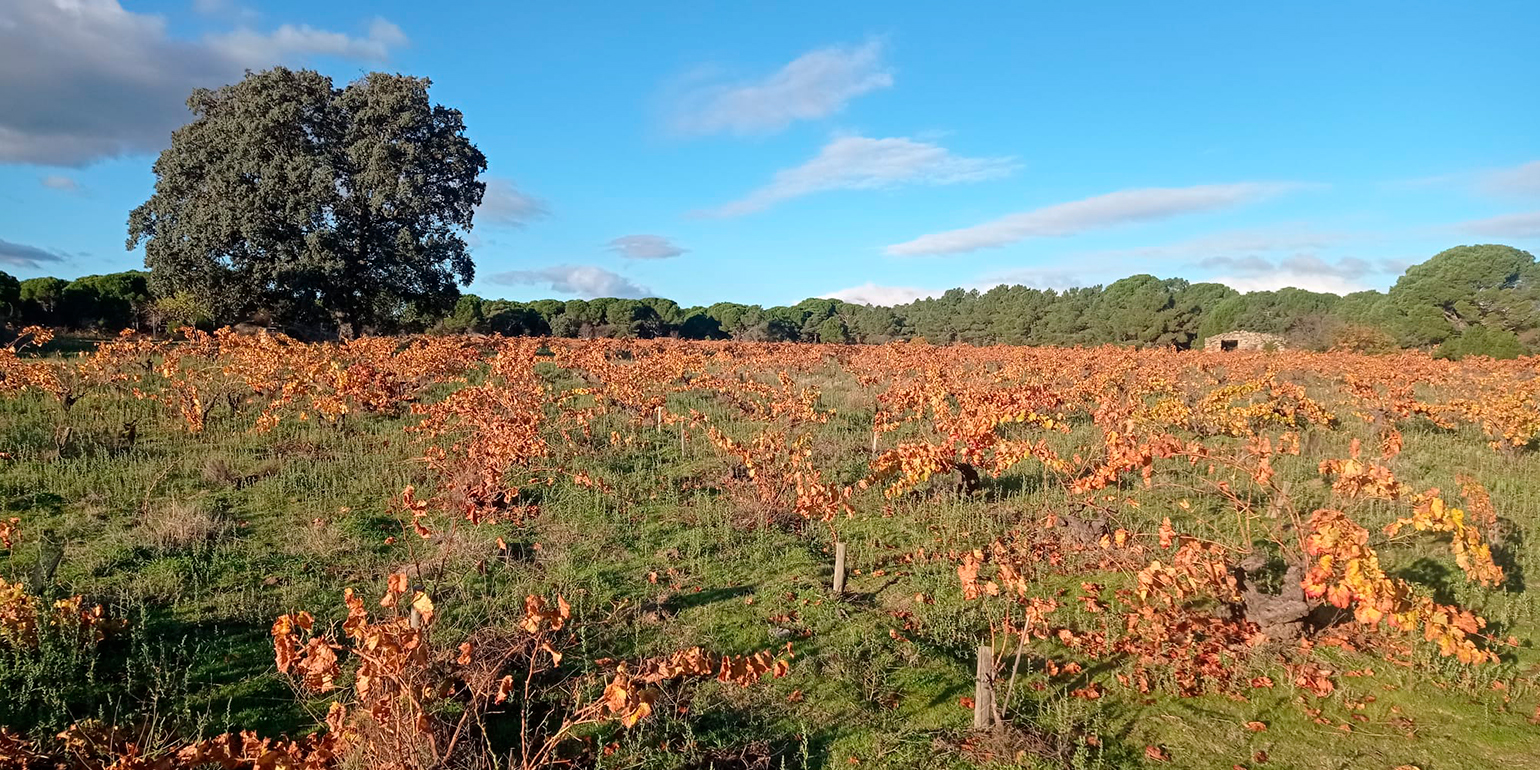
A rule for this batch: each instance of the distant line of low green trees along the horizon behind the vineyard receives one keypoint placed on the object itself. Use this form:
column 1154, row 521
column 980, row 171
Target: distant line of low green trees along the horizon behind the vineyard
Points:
column 1464, row 301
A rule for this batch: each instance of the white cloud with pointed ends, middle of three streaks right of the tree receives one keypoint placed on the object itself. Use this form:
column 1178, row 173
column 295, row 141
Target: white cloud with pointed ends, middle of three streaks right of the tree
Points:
column 869, row 164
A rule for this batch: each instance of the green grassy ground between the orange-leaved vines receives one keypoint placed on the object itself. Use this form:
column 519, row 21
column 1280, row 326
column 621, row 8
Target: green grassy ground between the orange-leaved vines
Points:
column 201, row 541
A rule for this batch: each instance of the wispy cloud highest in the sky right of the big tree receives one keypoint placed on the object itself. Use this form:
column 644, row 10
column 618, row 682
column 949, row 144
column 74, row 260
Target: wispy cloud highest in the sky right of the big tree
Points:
column 814, row 85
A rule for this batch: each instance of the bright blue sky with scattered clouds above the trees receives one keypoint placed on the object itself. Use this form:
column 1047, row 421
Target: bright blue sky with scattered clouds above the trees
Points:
column 875, row 152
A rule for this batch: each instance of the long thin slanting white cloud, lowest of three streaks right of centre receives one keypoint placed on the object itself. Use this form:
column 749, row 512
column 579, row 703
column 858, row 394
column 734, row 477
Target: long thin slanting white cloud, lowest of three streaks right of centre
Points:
column 1093, row 213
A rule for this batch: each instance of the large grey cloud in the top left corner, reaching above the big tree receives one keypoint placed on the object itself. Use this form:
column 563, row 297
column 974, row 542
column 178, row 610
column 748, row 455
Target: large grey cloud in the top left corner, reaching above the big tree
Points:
column 85, row 79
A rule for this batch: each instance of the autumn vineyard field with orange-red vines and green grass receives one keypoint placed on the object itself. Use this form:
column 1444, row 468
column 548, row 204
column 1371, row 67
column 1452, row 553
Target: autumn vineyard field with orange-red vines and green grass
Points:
column 244, row 551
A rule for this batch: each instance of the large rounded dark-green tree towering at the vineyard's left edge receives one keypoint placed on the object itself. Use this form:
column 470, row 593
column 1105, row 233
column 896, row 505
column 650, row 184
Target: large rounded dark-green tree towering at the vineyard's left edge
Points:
column 321, row 206
